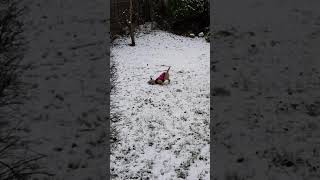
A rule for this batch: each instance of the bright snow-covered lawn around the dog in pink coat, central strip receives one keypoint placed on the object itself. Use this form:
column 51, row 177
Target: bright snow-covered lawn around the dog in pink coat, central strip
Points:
column 163, row 130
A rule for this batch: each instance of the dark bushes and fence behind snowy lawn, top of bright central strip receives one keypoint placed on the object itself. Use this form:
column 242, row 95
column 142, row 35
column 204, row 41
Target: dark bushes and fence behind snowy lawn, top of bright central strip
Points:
column 182, row 17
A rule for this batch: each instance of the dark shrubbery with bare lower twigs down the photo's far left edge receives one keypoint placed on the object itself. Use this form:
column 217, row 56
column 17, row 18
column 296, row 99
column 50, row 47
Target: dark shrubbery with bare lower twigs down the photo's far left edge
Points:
column 16, row 160
